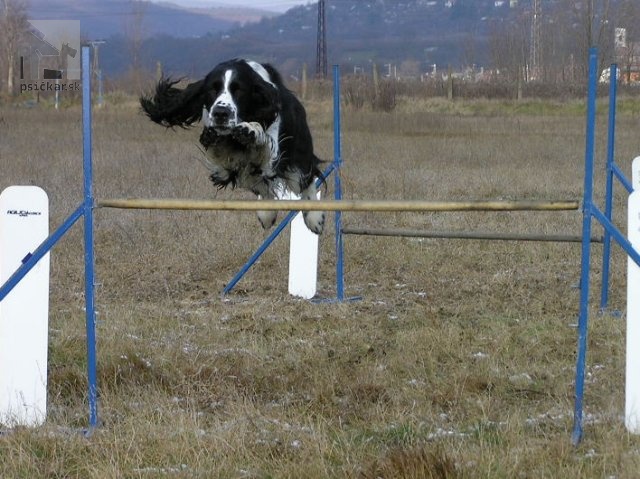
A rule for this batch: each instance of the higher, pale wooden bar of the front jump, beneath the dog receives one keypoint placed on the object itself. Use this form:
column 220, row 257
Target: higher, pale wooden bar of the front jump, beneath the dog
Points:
column 342, row 205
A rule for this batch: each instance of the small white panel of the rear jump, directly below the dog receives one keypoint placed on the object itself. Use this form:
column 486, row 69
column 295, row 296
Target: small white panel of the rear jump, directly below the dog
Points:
column 303, row 255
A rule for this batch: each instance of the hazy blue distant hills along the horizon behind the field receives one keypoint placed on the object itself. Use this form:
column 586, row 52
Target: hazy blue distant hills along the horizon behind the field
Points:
column 407, row 36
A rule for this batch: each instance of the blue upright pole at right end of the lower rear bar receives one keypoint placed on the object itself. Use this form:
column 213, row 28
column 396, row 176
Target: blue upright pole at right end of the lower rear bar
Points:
column 606, row 251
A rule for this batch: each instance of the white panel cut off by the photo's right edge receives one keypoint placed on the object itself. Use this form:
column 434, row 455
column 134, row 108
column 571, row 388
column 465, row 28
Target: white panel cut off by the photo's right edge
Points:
column 632, row 385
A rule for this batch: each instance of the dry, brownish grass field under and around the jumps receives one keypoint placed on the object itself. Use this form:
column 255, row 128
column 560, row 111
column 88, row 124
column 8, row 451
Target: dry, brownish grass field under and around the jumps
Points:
column 458, row 362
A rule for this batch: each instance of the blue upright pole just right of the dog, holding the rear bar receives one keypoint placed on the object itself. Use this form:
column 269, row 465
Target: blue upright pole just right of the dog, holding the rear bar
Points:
column 337, row 161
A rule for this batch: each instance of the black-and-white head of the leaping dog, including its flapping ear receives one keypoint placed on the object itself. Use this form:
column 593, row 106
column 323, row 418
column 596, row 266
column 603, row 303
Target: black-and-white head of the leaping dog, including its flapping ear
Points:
column 233, row 92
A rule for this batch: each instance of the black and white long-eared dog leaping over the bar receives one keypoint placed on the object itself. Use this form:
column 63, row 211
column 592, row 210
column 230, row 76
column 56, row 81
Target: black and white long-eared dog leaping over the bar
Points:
column 255, row 131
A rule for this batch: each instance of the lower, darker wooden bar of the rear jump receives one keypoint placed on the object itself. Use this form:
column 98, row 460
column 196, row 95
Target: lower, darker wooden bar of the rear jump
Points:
column 474, row 235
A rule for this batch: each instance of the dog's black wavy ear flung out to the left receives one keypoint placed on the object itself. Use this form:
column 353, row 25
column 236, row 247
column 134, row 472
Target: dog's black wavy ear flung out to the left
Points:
column 171, row 106
